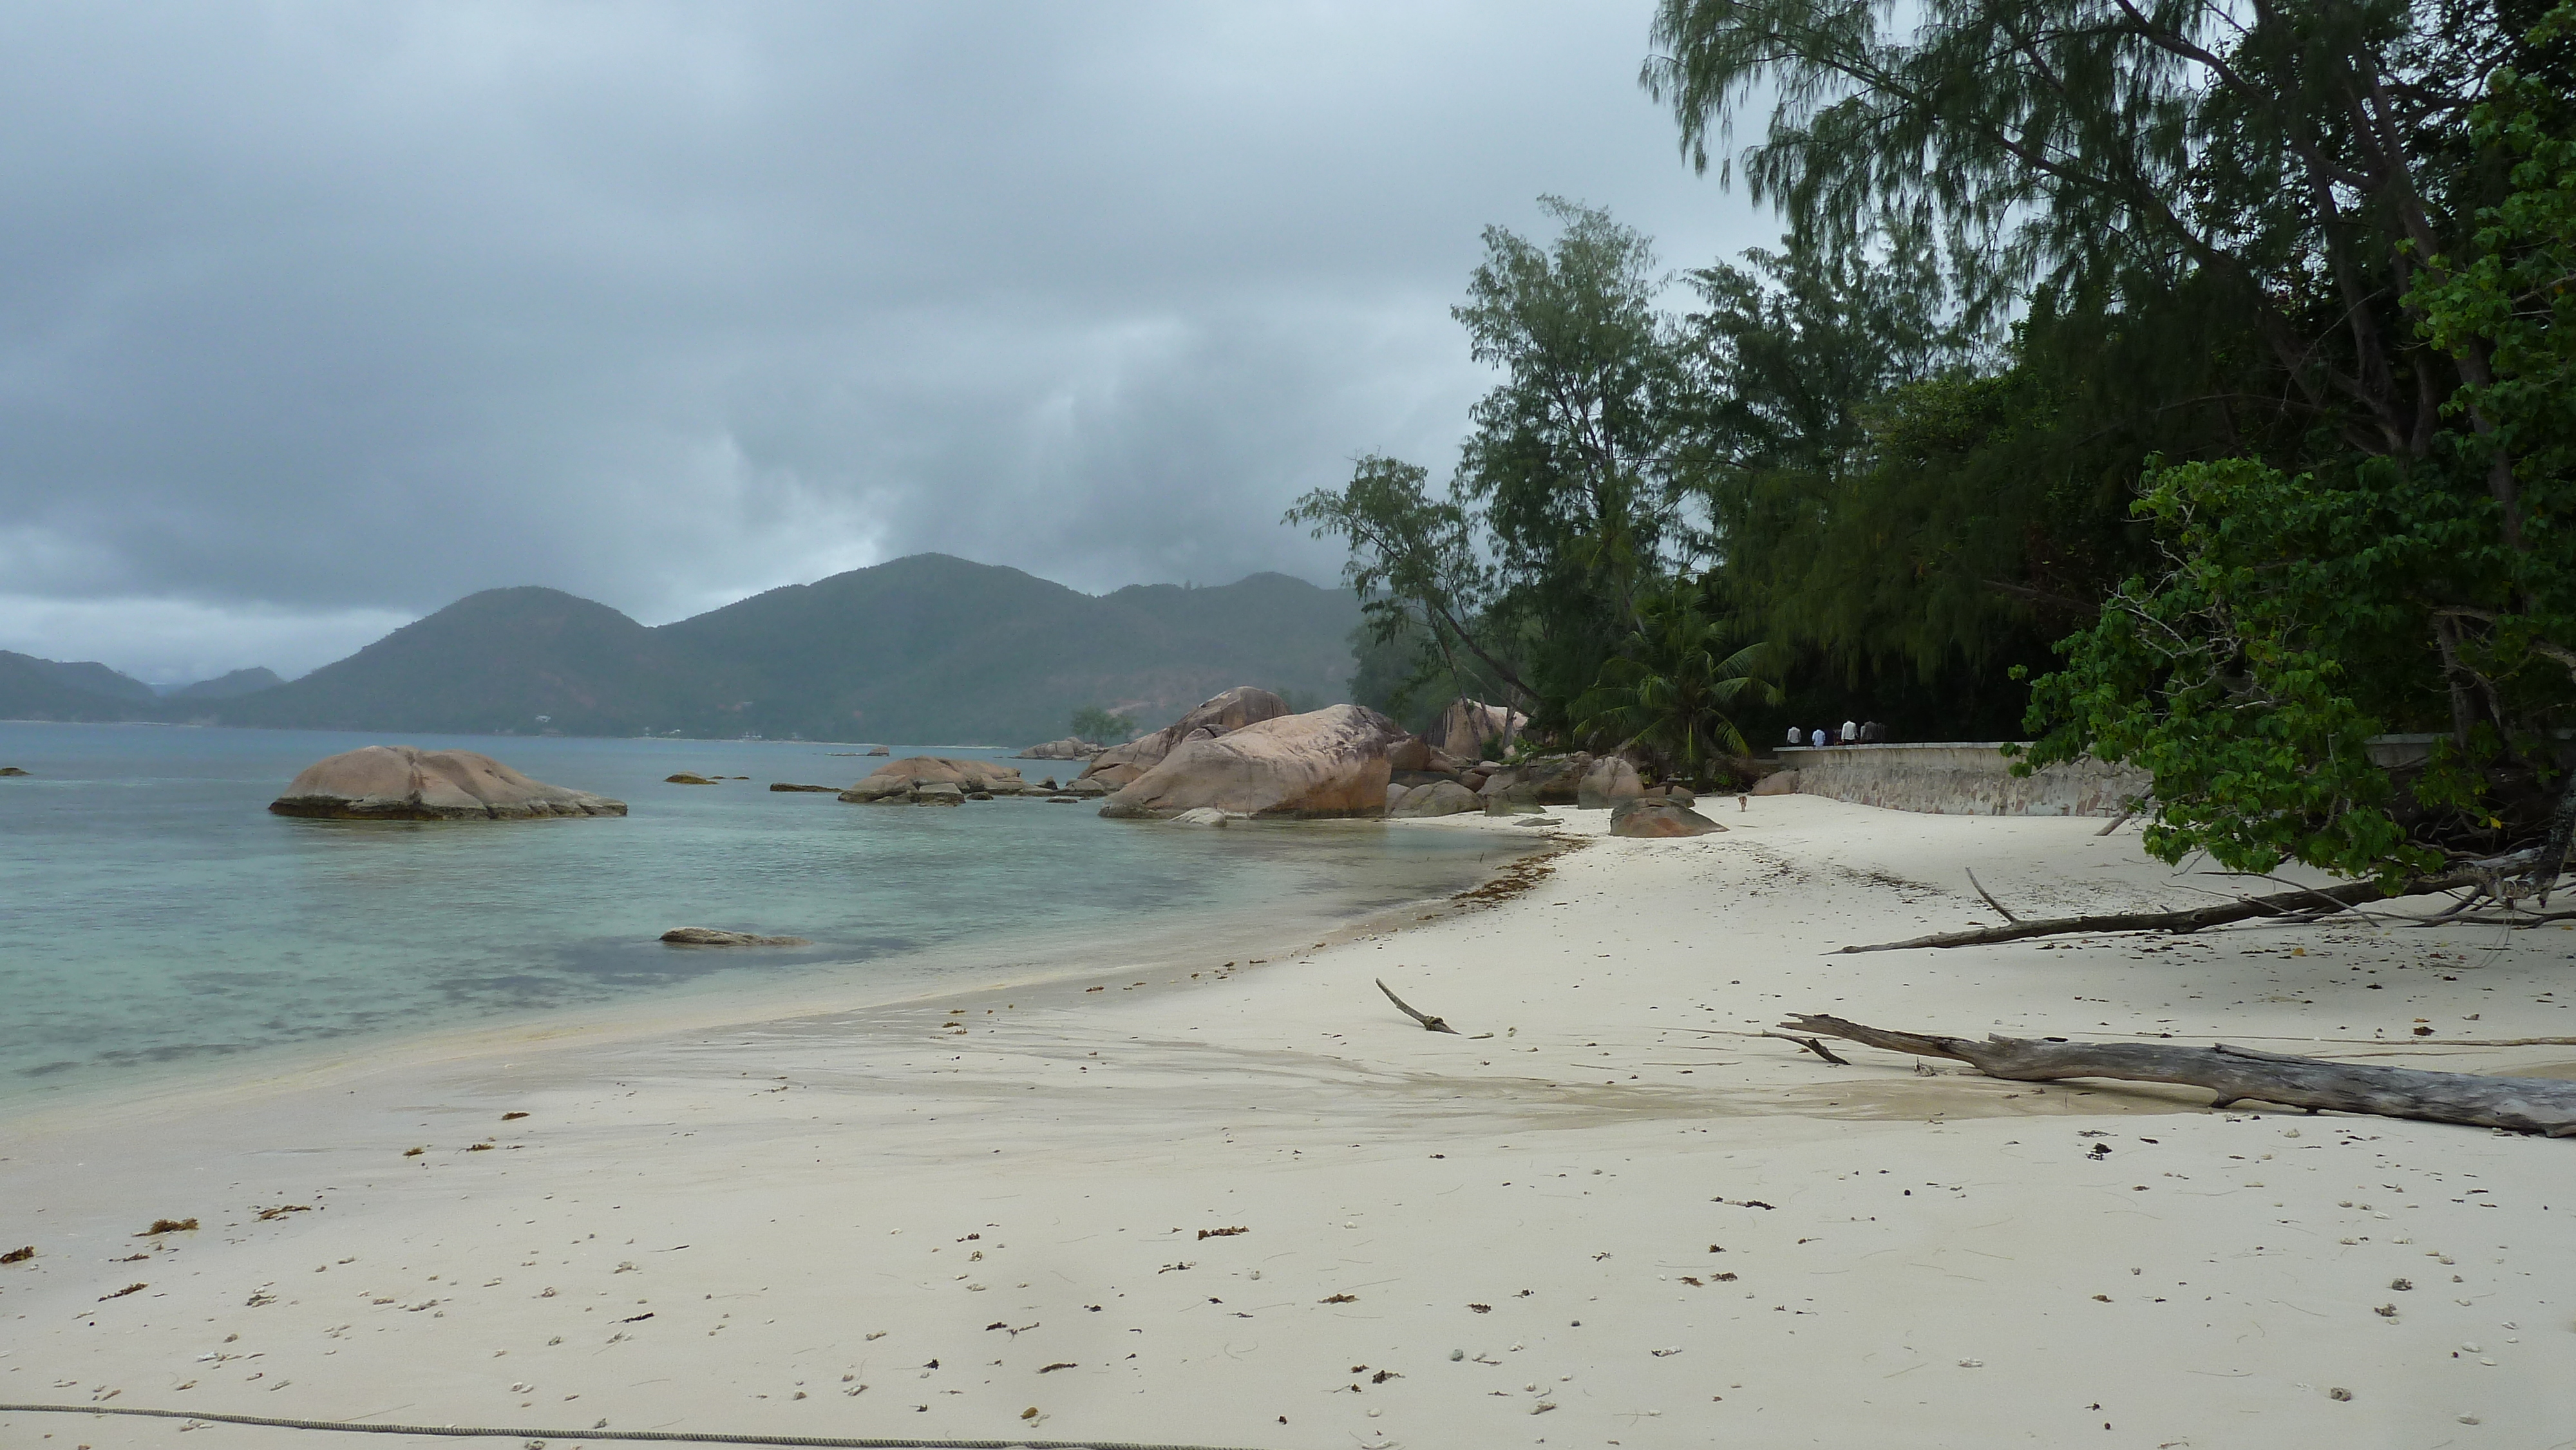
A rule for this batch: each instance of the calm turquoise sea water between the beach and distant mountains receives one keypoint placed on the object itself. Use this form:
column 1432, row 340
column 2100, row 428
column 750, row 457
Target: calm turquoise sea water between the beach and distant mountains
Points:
column 158, row 921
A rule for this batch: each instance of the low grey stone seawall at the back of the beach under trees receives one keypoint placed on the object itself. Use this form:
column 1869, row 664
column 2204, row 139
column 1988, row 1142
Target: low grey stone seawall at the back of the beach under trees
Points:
column 1962, row 779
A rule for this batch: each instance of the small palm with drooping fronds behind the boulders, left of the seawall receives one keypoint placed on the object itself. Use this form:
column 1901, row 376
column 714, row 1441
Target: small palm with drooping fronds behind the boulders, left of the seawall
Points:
column 1673, row 684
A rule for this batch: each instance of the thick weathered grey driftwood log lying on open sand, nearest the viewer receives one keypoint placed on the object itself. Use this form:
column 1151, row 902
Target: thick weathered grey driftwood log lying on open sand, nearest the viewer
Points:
column 2245, row 1075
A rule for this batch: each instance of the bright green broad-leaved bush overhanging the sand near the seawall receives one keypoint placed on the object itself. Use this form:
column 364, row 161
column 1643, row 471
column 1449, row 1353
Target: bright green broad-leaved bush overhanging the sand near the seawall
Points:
column 2250, row 676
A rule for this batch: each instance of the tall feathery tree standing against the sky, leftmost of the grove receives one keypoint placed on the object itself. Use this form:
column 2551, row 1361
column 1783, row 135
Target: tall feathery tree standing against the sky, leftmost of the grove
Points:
column 1565, row 506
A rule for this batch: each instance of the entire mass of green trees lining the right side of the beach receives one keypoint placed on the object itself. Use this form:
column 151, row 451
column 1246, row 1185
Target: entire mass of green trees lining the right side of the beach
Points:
column 2191, row 377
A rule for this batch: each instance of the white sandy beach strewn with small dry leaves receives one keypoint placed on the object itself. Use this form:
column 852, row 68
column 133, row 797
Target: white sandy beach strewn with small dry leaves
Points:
column 1258, row 1209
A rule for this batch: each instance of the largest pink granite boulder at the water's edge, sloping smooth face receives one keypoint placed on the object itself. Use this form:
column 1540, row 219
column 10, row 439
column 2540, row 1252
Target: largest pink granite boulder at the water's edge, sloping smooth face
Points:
column 1323, row 764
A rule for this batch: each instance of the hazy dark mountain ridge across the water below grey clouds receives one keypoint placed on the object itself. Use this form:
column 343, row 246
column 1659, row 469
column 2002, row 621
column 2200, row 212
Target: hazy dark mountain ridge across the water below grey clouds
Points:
column 913, row 650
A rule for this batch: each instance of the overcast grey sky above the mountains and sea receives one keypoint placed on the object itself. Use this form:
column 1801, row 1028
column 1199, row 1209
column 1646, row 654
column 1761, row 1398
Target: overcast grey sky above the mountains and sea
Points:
column 316, row 318
